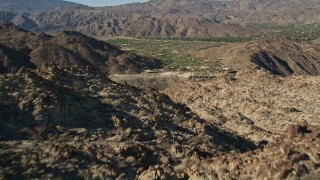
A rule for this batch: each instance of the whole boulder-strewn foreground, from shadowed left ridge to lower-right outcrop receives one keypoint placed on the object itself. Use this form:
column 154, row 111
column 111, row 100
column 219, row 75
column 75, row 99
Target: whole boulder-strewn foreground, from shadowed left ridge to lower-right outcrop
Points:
column 67, row 123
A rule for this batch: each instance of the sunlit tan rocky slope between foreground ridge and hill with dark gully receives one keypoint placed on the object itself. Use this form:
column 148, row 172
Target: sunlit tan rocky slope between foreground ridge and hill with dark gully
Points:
column 257, row 106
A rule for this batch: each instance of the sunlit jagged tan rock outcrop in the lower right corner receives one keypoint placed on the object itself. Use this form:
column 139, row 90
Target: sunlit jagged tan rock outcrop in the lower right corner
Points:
column 287, row 157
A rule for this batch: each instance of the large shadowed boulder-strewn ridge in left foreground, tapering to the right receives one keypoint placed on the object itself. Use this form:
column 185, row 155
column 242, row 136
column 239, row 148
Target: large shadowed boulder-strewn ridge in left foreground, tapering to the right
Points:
column 83, row 125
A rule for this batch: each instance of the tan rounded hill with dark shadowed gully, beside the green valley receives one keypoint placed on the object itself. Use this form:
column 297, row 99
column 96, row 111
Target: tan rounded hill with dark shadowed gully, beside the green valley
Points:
column 278, row 55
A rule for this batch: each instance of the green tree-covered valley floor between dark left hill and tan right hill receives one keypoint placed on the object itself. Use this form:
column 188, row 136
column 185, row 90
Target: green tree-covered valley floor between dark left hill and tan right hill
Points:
column 174, row 52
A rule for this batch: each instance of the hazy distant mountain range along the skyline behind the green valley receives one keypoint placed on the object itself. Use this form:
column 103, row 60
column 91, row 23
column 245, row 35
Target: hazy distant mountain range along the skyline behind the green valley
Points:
column 160, row 18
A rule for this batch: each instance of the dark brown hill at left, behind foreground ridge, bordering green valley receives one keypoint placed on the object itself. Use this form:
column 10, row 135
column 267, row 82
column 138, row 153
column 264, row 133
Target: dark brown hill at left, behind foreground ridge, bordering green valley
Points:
column 66, row 49
